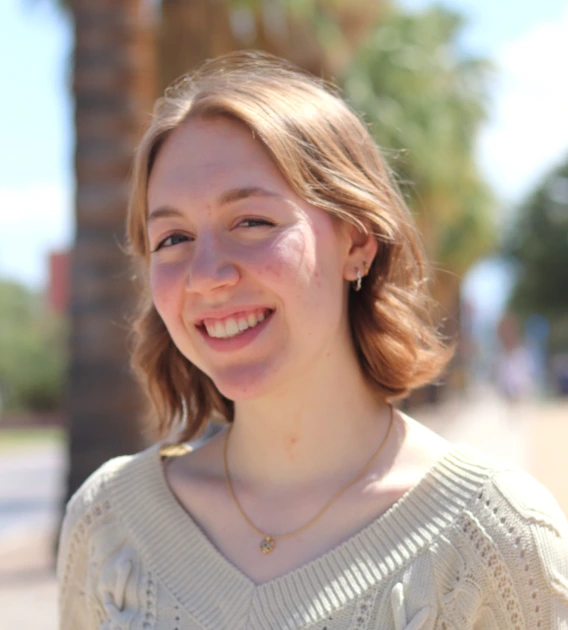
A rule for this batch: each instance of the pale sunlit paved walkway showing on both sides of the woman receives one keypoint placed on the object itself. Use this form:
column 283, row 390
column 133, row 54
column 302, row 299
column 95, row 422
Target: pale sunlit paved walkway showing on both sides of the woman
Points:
column 533, row 436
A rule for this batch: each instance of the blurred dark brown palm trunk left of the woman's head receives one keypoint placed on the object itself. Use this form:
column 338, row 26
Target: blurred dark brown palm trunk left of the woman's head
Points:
column 113, row 88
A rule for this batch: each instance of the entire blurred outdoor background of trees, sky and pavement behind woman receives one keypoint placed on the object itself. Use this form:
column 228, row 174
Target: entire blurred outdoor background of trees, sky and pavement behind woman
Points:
column 468, row 102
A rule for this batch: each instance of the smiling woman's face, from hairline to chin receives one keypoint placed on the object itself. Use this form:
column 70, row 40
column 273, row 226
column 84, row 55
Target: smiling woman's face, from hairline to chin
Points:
column 248, row 278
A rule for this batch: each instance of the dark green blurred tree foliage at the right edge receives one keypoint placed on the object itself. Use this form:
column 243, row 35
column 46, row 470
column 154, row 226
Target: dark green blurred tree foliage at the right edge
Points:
column 539, row 245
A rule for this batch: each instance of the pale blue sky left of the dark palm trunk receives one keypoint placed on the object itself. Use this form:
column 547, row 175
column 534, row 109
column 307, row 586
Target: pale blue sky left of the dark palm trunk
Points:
column 36, row 178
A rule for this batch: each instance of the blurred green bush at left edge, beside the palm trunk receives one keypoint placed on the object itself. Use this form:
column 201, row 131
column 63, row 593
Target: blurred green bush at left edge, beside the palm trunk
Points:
column 32, row 351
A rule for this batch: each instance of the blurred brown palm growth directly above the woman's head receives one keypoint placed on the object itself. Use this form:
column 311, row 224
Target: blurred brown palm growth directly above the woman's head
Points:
column 318, row 35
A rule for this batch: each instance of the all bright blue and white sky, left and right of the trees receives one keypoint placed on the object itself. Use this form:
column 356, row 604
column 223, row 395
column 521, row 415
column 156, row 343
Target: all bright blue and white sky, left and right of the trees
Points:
column 527, row 132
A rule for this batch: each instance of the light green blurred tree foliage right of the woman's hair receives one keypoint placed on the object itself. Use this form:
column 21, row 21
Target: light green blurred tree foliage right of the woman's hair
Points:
column 423, row 97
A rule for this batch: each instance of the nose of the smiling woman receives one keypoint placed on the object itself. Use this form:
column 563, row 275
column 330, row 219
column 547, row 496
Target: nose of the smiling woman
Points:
column 211, row 267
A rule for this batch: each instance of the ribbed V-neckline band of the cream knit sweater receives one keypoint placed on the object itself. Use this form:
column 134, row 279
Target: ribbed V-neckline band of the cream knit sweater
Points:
column 215, row 592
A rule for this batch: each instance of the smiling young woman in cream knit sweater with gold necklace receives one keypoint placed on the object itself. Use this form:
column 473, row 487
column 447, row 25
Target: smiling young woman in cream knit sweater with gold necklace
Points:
column 286, row 297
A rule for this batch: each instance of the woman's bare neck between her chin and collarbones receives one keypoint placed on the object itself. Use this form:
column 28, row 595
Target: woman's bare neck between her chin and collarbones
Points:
column 323, row 432
